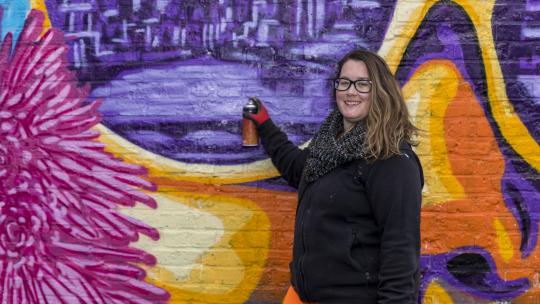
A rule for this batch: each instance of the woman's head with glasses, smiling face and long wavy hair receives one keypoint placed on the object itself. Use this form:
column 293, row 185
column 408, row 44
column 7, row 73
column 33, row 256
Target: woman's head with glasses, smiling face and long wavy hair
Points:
column 376, row 101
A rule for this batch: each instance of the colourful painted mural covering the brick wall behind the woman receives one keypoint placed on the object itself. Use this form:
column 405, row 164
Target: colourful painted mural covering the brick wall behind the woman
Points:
column 123, row 175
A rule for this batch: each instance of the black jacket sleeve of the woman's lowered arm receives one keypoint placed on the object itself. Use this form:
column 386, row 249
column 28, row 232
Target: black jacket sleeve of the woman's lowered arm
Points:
column 394, row 188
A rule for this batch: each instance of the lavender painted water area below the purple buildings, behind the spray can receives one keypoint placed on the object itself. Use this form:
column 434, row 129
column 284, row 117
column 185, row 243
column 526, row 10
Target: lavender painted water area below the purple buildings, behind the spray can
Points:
column 191, row 111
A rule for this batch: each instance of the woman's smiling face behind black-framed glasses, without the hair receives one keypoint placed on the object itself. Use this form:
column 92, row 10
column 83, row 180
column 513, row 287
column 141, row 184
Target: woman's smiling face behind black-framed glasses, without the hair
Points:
column 353, row 105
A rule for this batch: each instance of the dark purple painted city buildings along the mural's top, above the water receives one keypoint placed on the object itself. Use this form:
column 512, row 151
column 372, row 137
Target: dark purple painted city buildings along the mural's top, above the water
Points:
column 104, row 36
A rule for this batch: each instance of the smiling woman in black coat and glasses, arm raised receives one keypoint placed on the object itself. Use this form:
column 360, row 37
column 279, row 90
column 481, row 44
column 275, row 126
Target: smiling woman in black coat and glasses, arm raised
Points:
column 357, row 229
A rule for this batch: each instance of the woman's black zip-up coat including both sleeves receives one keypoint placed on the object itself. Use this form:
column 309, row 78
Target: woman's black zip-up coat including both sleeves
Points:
column 357, row 229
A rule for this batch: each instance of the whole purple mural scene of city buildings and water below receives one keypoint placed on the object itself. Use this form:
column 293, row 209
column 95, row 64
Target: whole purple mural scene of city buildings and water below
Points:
column 192, row 127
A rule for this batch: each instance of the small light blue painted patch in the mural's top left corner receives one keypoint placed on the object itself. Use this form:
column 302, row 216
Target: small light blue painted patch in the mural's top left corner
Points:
column 13, row 16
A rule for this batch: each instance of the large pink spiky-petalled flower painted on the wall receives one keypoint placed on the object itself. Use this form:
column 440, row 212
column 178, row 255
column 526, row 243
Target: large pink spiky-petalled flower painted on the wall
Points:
column 62, row 237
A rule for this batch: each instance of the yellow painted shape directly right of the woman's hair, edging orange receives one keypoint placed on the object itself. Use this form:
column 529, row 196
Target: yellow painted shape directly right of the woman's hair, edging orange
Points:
column 430, row 90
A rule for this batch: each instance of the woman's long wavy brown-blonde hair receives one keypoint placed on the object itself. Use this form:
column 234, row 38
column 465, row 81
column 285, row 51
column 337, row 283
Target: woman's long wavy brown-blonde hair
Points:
column 388, row 123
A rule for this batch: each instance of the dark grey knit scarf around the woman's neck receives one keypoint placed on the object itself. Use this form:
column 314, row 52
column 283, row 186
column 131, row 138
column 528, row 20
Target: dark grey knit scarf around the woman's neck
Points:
column 327, row 151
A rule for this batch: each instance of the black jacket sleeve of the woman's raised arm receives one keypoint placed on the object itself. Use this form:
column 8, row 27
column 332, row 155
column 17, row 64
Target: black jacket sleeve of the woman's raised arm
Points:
column 287, row 157
